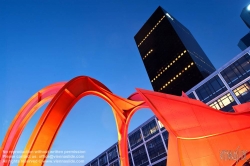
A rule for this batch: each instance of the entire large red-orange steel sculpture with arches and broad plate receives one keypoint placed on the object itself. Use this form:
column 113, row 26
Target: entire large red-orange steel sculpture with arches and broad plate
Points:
column 198, row 134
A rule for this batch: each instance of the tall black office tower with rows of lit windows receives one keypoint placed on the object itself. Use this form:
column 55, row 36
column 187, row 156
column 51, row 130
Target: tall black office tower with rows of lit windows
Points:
column 172, row 57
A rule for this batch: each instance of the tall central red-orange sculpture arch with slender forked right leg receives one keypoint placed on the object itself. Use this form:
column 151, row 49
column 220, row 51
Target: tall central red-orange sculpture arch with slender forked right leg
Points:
column 57, row 110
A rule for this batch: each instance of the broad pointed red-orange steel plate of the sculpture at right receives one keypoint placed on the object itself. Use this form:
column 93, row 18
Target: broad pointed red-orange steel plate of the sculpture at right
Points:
column 198, row 134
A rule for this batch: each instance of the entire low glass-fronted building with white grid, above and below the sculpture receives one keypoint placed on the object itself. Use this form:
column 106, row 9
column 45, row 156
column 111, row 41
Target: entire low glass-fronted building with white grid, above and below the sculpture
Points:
column 226, row 87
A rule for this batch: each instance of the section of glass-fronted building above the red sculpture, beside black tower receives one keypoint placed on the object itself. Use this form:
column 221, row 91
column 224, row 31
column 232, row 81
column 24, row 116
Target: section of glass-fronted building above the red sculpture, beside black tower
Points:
column 227, row 86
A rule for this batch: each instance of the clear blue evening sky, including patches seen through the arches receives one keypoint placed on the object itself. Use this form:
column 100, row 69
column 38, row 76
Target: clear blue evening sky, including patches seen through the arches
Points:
column 43, row 42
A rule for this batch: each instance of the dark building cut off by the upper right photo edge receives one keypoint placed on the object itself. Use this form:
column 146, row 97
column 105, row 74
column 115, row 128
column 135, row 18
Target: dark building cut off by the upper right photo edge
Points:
column 245, row 16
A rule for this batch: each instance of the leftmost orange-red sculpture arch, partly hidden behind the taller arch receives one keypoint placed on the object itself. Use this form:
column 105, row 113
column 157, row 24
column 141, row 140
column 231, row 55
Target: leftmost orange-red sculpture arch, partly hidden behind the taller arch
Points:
column 24, row 115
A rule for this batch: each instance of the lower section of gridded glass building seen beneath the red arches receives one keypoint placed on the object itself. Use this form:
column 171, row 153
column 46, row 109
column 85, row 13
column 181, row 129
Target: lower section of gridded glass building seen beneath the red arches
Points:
column 147, row 145
